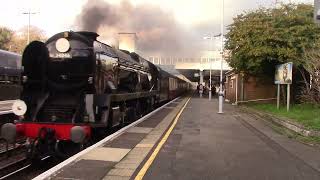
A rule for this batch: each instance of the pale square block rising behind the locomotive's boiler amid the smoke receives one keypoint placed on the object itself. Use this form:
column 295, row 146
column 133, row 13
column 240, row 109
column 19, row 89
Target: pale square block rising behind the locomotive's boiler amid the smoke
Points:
column 127, row 41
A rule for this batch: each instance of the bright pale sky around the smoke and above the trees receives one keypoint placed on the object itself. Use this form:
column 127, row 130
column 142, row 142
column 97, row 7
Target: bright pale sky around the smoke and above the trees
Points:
column 197, row 17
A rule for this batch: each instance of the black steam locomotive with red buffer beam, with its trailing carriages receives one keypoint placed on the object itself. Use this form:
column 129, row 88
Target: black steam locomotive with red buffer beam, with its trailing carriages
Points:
column 76, row 89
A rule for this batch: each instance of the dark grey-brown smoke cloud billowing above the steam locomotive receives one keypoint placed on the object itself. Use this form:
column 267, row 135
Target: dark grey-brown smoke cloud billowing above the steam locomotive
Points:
column 157, row 30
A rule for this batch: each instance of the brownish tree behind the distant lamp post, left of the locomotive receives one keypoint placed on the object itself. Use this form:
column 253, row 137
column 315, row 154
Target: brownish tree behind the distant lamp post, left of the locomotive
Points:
column 20, row 38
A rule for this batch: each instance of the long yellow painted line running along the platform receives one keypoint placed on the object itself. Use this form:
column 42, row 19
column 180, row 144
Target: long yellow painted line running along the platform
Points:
column 154, row 154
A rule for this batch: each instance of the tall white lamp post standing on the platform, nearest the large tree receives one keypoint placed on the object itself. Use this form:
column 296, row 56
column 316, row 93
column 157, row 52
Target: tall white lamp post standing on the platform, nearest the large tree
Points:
column 221, row 70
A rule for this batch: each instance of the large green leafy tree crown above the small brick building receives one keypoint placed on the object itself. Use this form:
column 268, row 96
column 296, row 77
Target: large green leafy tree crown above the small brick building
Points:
column 263, row 38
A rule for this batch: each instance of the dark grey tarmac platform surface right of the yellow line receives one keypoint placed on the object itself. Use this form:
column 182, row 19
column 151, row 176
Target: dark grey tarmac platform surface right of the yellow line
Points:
column 233, row 145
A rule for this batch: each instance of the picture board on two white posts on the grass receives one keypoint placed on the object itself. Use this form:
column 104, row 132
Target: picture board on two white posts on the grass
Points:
column 283, row 74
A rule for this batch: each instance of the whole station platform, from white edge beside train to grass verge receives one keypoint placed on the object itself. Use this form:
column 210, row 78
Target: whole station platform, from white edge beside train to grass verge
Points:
column 188, row 139
